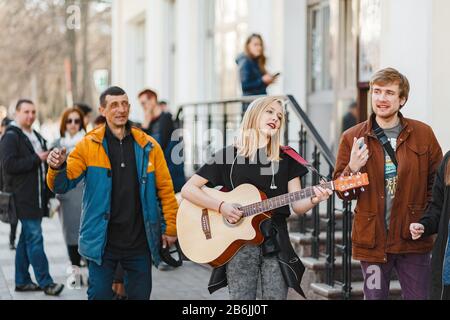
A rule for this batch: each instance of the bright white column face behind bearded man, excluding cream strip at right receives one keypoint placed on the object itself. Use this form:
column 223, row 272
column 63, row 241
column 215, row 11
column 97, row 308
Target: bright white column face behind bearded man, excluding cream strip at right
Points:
column 406, row 46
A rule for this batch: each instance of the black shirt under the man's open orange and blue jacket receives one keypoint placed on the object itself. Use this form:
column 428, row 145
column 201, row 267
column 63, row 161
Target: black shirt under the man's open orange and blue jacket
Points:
column 126, row 232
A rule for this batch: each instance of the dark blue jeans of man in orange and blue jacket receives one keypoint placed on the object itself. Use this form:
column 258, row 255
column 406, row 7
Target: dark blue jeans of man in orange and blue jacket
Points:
column 138, row 284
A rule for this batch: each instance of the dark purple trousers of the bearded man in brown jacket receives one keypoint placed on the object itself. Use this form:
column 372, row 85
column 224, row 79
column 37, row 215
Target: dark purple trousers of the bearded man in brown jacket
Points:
column 413, row 271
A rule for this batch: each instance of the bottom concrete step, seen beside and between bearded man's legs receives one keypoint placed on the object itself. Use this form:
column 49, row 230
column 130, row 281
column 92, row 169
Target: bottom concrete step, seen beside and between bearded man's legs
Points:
column 321, row 291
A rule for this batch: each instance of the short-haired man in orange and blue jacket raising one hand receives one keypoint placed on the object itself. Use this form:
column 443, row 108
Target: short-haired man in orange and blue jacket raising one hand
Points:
column 127, row 185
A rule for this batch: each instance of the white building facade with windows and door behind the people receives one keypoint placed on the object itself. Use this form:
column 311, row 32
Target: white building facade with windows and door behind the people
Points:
column 326, row 51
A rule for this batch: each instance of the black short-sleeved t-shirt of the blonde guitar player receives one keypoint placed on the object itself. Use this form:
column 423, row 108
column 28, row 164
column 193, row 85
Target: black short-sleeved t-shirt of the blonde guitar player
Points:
column 258, row 173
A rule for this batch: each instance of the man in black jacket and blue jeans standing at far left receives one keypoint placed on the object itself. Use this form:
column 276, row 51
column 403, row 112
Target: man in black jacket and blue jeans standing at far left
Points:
column 23, row 154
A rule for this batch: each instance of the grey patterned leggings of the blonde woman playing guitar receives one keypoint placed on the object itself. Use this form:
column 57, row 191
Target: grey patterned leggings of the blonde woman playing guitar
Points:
column 248, row 268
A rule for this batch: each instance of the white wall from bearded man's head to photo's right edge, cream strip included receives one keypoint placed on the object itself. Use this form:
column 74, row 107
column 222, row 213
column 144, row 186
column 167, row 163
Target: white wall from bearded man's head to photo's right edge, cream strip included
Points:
column 413, row 40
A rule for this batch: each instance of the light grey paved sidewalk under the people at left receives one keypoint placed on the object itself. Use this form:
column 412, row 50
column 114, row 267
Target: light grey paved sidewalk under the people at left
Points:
column 184, row 283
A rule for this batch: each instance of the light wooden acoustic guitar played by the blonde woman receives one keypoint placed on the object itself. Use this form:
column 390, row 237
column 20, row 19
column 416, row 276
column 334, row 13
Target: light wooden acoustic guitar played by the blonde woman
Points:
column 205, row 236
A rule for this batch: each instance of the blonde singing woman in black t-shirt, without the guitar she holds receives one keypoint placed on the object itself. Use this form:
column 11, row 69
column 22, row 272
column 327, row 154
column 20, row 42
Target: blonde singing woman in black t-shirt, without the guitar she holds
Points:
column 256, row 158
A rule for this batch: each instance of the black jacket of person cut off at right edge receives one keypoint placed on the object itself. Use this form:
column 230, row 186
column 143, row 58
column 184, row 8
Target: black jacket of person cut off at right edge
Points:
column 436, row 220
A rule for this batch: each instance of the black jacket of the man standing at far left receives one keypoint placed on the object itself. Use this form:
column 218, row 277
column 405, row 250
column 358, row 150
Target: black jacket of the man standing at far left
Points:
column 23, row 174
